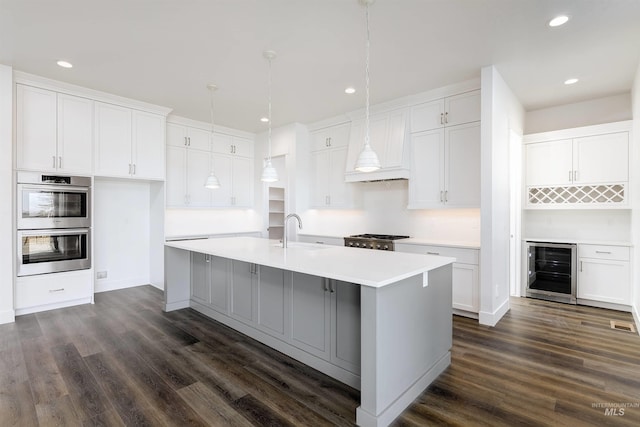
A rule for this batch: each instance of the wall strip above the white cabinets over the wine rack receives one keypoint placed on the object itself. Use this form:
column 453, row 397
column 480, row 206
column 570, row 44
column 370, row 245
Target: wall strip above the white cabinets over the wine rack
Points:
column 596, row 111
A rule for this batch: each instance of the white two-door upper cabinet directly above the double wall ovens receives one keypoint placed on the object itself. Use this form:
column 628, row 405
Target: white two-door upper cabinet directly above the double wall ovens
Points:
column 54, row 131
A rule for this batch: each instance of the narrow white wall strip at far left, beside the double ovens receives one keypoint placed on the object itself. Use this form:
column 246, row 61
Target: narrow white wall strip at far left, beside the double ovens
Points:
column 7, row 237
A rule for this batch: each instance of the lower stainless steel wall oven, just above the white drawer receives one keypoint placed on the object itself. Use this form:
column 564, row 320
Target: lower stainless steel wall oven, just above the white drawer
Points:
column 53, row 250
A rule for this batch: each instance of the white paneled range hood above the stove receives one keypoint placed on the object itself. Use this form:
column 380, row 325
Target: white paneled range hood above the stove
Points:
column 389, row 137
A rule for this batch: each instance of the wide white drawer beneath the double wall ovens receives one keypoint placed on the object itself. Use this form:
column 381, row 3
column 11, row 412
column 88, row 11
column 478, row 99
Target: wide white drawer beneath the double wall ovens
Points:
column 32, row 291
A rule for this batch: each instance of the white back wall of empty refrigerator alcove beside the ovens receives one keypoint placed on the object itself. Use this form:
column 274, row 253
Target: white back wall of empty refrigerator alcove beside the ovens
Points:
column 121, row 233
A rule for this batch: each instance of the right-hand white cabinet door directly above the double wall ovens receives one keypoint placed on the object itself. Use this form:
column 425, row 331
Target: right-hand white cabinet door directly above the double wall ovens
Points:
column 75, row 134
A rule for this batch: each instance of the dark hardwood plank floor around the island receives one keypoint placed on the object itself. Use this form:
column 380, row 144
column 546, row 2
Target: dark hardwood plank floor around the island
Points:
column 123, row 361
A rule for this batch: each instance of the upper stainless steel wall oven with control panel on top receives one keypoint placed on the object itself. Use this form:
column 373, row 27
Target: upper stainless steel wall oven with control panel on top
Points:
column 53, row 201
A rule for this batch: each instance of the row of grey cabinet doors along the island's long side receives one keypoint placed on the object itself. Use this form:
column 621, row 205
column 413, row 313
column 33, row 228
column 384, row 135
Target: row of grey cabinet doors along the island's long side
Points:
column 319, row 316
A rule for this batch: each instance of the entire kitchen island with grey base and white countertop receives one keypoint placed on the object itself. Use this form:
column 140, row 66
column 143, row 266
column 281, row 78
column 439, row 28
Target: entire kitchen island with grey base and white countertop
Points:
column 378, row 321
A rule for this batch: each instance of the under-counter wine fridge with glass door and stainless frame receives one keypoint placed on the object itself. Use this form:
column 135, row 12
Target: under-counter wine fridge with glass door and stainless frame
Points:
column 552, row 271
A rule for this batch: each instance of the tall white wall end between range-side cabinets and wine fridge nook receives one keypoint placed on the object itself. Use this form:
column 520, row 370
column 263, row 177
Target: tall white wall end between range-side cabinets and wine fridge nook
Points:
column 502, row 113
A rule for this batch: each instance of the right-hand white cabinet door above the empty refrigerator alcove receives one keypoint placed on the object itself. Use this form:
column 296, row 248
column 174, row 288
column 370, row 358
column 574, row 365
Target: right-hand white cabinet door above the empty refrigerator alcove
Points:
column 148, row 145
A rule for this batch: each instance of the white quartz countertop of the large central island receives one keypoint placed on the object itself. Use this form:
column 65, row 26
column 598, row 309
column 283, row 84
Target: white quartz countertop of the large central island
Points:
column 368, row 268
